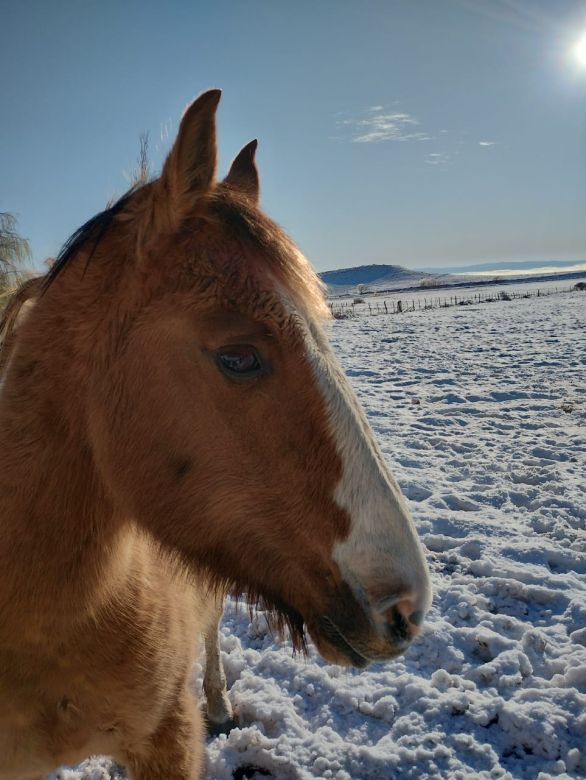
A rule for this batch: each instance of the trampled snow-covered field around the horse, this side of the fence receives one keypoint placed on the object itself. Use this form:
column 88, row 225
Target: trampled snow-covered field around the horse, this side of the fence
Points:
column 480, row 411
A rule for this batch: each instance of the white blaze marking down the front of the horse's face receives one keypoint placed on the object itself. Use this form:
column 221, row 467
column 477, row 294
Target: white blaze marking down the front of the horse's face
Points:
column 382, row 556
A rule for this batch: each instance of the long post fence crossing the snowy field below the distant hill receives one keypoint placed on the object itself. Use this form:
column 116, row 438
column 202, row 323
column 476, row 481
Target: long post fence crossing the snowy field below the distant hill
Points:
column 344, row 310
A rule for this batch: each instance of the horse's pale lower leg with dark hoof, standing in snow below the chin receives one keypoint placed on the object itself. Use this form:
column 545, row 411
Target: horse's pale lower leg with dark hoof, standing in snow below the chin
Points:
column 218, row 709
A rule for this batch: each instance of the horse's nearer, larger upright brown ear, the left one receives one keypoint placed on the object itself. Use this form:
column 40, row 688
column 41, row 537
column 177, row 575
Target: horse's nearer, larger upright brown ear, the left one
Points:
column 190, row 168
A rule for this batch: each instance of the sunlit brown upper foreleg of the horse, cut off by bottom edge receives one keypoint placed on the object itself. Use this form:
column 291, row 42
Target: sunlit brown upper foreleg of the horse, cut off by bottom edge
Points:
column 174, row 751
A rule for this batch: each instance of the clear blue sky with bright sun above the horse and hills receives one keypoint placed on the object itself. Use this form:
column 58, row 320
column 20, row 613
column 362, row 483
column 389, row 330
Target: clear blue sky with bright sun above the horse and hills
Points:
column 423, row 133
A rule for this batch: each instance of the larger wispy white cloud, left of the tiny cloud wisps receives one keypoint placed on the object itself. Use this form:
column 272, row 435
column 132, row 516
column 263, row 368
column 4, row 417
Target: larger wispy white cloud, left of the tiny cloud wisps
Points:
column 378, row 124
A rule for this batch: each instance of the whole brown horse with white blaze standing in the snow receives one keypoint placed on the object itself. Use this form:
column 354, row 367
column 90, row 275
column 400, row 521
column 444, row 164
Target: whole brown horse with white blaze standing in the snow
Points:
column 174, row 427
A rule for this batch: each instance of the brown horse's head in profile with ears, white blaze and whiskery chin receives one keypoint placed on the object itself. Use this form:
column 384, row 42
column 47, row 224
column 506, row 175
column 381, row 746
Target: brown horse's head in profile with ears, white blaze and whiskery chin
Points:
column 218, row 416
